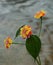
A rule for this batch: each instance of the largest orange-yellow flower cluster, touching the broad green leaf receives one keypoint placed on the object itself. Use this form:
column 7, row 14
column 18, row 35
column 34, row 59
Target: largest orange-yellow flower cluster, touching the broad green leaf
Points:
column 25, row 31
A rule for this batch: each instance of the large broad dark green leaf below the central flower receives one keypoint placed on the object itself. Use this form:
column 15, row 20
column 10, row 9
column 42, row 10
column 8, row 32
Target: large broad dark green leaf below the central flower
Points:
column 33, row 45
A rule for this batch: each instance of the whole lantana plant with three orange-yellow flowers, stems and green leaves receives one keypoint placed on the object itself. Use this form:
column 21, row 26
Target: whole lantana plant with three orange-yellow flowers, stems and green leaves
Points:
column 33, row 42
